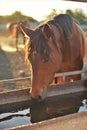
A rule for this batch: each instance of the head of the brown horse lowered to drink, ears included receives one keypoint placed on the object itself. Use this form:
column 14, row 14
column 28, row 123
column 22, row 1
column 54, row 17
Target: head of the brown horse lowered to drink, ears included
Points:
column 43, row 56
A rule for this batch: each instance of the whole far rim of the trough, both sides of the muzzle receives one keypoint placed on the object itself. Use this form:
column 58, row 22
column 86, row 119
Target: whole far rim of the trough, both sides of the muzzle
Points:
column 54, row 90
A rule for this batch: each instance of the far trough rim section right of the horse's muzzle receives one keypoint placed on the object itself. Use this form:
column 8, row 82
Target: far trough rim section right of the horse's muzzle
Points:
column 67, row 88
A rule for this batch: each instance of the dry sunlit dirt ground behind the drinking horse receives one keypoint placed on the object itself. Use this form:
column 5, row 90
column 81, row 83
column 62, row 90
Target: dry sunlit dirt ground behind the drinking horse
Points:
column 12, row 64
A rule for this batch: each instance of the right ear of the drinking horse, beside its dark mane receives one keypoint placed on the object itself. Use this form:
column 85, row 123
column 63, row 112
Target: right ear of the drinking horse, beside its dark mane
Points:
column 46, row 31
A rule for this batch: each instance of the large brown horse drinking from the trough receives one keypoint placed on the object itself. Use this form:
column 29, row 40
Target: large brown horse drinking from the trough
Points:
column 56, row 46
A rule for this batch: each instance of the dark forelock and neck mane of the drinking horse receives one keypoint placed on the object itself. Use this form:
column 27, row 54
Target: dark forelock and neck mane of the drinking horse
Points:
column 39, row 44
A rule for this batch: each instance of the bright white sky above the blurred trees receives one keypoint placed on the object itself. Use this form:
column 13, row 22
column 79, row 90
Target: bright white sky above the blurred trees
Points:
column 39, row 9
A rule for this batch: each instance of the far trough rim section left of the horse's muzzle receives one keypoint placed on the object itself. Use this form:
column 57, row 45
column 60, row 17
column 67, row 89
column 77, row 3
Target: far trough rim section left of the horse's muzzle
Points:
column 14, row 96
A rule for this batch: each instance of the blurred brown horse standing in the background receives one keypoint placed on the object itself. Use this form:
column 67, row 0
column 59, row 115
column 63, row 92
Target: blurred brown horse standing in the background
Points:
column 15, row 30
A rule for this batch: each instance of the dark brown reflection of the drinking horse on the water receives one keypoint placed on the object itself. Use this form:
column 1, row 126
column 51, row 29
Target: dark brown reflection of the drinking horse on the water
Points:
column 47, row 110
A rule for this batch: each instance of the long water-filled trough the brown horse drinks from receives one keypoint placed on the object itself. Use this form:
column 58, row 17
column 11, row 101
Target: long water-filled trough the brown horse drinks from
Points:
column 62, row 105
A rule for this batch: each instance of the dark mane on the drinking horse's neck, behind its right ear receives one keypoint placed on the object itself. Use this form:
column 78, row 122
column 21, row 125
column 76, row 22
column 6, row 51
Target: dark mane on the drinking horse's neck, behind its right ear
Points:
column 64, row 24
